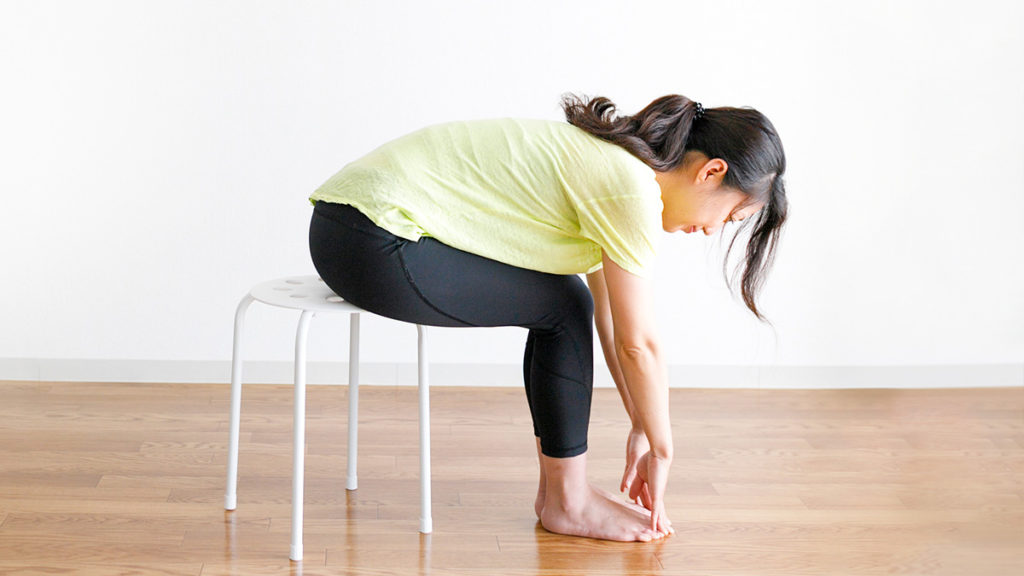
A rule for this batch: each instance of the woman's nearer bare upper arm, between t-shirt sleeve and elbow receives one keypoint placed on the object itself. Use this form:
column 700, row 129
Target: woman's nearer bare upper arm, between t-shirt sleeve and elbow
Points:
column 630, row 299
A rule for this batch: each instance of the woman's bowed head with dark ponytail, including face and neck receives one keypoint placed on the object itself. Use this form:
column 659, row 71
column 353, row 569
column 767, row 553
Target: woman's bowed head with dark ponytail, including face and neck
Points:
column 723, row 166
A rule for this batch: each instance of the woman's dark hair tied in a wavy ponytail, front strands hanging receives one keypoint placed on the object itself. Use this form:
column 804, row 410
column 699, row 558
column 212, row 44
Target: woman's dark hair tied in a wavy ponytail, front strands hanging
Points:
column 663, row 133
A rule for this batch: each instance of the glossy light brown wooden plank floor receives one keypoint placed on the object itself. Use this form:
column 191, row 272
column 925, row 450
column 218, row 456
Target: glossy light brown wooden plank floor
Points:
column 129, row 479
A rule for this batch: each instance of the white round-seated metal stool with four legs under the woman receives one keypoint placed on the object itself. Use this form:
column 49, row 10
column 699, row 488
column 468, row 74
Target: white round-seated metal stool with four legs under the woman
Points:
column 312, row 296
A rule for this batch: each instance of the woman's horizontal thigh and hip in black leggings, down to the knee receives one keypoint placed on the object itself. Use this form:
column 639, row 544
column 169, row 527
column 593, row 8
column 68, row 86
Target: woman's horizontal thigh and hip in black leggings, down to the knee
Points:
column 429, row 282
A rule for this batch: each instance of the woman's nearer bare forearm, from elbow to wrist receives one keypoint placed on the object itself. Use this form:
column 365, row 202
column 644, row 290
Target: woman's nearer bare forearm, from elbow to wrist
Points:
column 646, row 380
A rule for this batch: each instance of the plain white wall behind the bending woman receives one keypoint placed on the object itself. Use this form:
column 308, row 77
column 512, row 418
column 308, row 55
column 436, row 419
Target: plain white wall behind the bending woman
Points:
column 157, row 157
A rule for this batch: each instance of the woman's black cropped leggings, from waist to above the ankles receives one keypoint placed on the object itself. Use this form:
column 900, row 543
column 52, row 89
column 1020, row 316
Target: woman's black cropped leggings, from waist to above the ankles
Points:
column 431, row 283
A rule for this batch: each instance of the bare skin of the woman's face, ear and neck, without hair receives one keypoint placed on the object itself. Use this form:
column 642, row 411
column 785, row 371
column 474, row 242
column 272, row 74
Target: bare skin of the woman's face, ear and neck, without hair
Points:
column 696, row 200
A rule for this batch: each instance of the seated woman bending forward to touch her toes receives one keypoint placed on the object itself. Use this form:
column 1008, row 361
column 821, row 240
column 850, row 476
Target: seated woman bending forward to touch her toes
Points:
column 489, row 223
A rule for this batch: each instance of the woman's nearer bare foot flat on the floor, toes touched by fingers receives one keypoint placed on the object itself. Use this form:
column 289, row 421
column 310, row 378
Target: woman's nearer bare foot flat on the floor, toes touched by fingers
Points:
column 594, row 514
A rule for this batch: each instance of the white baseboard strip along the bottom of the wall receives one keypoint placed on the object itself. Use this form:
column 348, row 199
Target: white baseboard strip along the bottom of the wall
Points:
column 923, row 377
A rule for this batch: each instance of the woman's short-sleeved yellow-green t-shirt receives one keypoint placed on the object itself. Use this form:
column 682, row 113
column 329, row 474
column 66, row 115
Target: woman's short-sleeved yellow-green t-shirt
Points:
column 535, row 194
